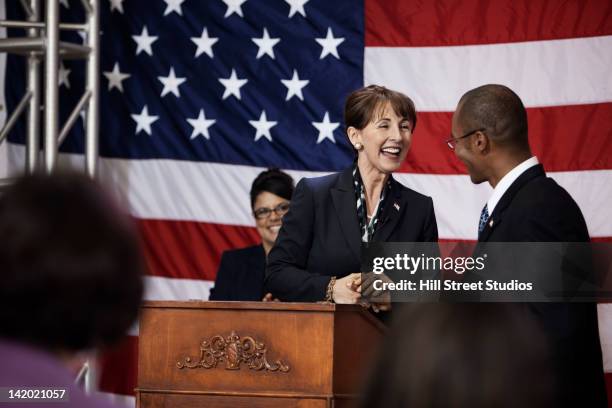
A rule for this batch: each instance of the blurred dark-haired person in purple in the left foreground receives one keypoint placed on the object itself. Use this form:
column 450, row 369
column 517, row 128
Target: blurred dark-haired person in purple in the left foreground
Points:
column 70, row 281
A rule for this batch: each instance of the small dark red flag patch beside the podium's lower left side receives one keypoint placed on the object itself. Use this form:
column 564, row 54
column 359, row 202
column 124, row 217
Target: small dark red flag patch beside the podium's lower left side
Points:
column 119, row 367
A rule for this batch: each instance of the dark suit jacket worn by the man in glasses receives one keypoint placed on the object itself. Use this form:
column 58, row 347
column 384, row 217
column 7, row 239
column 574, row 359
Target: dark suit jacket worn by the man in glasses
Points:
column 536, row 209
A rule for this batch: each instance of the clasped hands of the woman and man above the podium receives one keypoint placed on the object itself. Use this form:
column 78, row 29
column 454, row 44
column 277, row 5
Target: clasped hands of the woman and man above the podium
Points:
column 358, row 288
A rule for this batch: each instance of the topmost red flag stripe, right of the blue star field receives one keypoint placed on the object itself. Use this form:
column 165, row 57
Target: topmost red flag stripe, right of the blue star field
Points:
column 396, row 23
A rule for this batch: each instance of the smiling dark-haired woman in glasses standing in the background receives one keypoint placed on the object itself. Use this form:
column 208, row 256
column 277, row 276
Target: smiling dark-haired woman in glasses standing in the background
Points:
column 241, row 271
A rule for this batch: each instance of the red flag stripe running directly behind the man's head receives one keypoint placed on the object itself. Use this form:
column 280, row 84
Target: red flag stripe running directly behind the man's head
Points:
column 565, row 138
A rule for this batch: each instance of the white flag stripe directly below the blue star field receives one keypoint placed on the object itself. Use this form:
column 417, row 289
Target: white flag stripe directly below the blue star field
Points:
column 218, row 193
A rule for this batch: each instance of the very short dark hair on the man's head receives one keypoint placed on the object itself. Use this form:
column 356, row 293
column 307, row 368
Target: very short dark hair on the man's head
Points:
column 497, row 109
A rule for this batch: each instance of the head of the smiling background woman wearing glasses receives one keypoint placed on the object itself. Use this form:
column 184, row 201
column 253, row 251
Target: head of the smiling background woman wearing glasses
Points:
column 270, row 194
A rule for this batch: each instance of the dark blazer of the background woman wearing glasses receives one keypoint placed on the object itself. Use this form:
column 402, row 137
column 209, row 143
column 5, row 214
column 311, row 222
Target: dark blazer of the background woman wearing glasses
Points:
column 240, row 275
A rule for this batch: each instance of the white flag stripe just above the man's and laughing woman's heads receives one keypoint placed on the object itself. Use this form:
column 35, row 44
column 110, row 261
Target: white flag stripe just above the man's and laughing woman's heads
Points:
column 436, row 77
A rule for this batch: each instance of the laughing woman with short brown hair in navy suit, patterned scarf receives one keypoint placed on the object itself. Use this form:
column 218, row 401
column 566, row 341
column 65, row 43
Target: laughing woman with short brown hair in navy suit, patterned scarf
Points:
column 317, row 254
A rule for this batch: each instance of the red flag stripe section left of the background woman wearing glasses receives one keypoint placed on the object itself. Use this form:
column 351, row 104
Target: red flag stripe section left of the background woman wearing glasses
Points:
column 190, row 250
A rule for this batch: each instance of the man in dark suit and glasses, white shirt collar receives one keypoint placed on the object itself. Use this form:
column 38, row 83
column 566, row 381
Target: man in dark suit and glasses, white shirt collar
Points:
column 489, row 135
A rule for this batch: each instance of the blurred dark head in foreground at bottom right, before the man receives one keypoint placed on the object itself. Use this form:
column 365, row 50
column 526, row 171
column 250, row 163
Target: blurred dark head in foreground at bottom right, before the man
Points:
column 463, row 356
